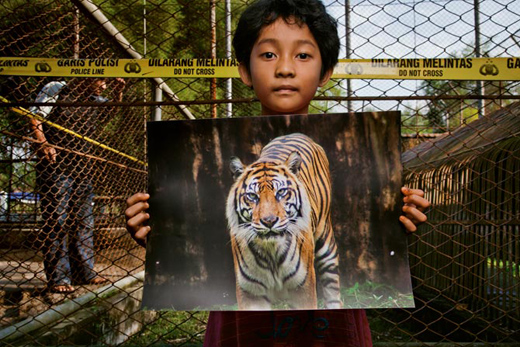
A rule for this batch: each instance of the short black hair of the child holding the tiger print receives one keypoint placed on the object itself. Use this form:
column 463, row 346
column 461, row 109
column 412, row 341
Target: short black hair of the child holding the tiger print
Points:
column 262, row 13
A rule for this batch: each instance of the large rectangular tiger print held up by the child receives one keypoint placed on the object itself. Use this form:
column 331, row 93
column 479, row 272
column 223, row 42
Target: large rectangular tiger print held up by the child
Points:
column 276, row 213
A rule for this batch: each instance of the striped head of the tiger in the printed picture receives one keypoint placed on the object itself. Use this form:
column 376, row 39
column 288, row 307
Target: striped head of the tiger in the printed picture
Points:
column 267, row 201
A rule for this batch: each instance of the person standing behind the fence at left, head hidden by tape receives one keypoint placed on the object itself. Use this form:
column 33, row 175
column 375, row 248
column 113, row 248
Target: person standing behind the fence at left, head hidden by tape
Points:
column 64, row 179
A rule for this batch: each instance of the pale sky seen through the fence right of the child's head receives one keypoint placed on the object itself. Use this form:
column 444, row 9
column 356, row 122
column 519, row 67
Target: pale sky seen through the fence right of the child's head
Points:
column 423, row 29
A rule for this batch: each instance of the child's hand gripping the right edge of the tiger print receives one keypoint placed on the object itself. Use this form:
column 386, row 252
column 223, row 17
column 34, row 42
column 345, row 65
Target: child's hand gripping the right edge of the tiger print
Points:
column 414, row 206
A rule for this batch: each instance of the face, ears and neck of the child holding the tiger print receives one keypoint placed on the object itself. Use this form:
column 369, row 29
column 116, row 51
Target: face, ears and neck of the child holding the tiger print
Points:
column 285, row 68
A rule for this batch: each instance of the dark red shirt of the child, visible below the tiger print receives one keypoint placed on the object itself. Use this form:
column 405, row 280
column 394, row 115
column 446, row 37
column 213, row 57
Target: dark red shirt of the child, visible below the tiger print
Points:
column 288, row 328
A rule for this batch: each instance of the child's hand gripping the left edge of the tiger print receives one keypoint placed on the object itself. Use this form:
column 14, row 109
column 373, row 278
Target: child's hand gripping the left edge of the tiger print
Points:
column 136, row 217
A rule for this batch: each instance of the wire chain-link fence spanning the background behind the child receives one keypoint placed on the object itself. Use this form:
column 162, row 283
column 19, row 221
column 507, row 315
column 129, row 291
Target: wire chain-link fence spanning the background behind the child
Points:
column 461, row 139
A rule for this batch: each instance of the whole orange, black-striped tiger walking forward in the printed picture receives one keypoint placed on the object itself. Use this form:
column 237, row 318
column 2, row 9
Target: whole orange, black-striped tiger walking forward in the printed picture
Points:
column 278, row 213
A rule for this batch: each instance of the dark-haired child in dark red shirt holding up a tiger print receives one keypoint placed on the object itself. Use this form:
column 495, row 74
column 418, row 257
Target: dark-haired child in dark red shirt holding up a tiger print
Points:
column 286, row 49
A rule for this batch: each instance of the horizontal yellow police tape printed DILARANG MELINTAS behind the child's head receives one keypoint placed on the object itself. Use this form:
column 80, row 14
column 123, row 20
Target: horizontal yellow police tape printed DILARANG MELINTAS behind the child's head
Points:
column 502, row 69
